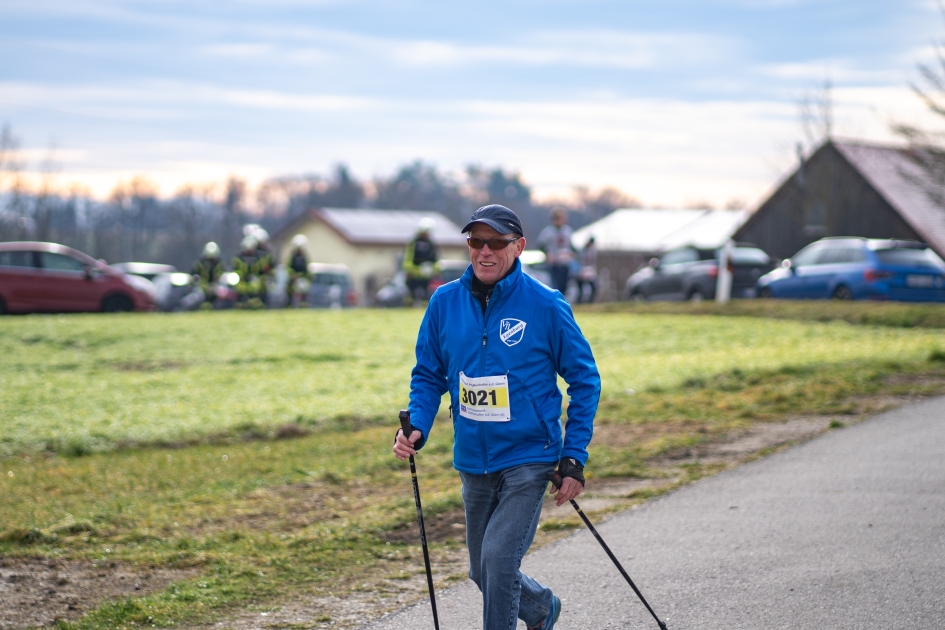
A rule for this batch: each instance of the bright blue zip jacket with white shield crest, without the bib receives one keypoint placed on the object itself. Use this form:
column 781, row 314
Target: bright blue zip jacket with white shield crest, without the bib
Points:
column 456, row 336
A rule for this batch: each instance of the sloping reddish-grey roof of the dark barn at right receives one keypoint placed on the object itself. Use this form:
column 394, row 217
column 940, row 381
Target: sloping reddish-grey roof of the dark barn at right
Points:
column 903, row 184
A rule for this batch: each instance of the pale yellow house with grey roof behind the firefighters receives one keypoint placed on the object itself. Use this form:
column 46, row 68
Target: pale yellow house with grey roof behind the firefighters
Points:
column 369, row 242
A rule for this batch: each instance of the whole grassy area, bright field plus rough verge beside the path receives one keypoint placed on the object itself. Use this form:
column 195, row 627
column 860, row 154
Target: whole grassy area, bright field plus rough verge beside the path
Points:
column 91, row 404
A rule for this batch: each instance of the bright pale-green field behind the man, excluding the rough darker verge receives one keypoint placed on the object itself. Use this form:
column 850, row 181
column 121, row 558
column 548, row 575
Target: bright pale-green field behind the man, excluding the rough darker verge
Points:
column 82, row 384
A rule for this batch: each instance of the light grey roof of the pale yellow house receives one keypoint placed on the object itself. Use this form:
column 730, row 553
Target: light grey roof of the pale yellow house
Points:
column 378, row 227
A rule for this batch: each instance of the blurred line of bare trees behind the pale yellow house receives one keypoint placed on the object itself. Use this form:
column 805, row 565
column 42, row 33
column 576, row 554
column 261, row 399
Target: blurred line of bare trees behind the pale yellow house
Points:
column 136, row 224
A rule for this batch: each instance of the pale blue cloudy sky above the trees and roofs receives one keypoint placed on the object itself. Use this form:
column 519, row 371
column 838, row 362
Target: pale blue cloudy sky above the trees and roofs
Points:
column 674, row 102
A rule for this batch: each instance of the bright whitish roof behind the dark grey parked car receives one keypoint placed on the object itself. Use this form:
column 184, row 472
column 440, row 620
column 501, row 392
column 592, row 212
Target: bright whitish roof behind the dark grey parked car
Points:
column 649, row 230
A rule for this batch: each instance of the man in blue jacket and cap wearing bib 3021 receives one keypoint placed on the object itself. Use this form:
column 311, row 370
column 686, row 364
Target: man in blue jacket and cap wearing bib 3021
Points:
column 495, row 340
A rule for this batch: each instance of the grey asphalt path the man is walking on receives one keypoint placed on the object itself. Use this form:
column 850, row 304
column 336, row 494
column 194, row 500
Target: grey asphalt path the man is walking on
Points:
column 845, row 531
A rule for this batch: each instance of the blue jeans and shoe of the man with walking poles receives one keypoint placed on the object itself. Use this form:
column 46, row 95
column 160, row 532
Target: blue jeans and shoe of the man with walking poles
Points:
column 502, row 511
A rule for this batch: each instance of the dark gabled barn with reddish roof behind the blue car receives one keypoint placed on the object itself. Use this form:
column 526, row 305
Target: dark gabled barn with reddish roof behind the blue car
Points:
column 848, row 188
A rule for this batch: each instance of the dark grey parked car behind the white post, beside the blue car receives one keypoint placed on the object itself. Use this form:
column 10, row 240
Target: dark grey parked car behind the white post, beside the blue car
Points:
column 691, row 273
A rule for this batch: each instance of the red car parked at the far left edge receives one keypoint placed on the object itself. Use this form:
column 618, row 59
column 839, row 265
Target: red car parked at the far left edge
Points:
column 46, row 277
